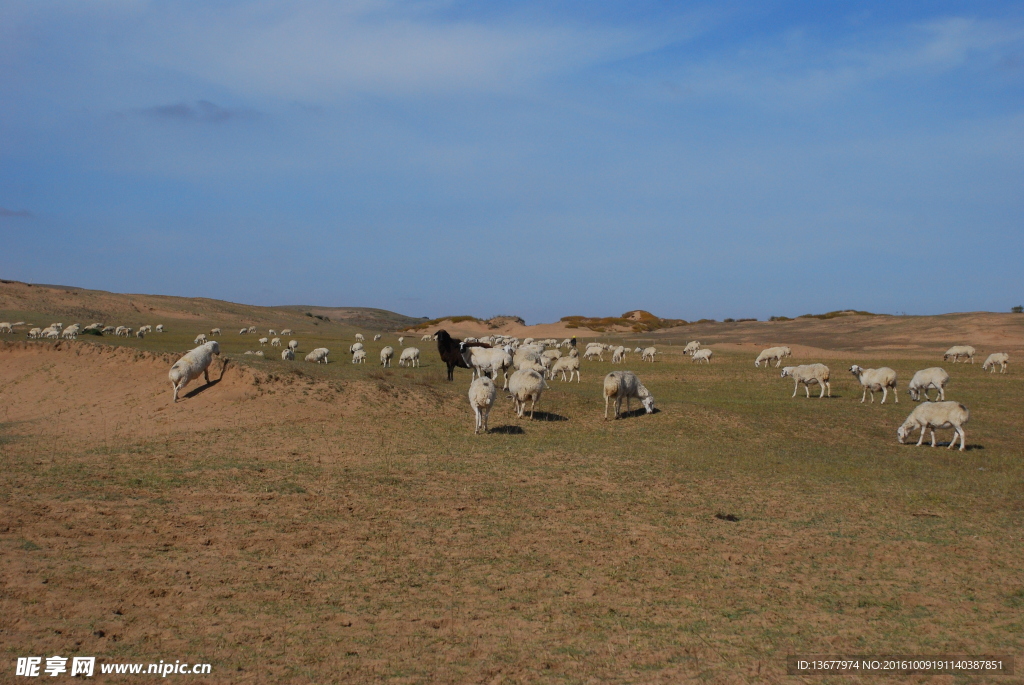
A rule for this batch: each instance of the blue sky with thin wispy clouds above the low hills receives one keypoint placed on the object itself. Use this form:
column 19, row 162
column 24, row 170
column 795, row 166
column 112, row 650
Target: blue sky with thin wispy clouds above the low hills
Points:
column 542, row 159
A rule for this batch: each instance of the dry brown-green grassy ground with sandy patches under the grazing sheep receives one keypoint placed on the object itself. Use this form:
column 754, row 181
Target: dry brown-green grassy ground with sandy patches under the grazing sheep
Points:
column 296, row 524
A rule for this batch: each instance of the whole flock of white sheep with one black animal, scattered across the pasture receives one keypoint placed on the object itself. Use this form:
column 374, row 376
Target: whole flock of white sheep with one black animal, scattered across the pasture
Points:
column 533, row 363
